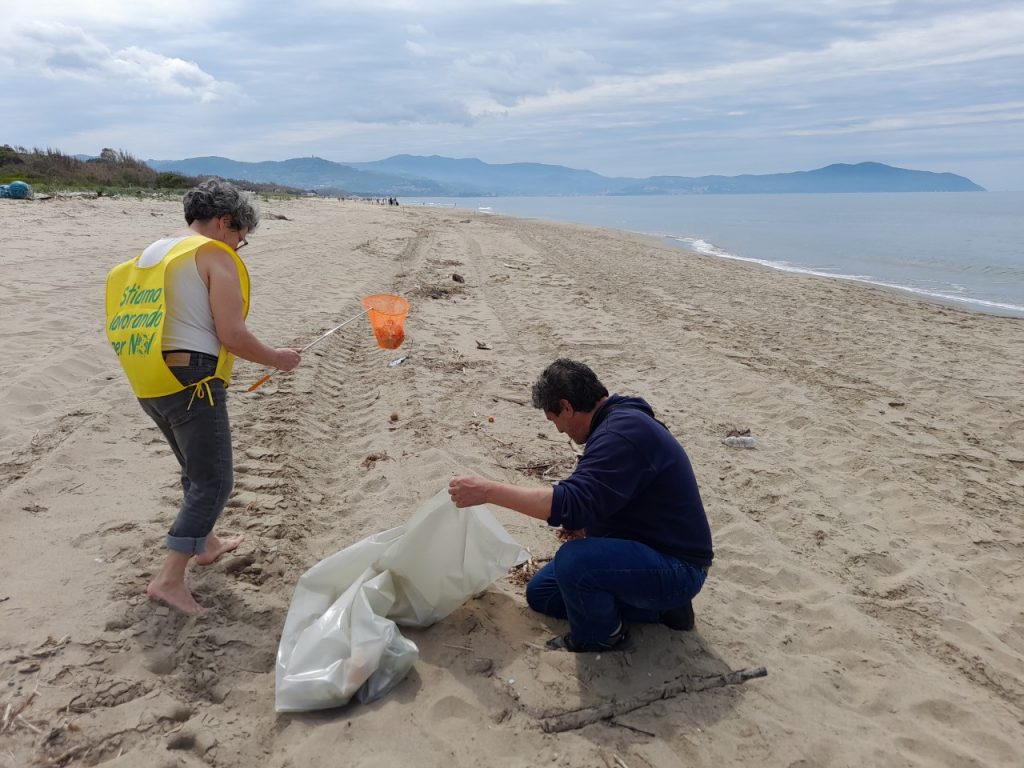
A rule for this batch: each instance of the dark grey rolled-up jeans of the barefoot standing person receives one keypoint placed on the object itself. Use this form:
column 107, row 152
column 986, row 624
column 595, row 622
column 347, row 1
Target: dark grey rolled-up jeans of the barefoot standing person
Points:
column 201, row 440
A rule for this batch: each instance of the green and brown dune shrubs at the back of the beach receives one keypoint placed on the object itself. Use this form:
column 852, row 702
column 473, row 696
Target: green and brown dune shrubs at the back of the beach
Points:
column 114, row 173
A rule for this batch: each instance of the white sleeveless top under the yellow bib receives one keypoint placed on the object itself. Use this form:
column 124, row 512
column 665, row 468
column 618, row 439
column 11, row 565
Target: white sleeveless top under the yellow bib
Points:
column 190, row 321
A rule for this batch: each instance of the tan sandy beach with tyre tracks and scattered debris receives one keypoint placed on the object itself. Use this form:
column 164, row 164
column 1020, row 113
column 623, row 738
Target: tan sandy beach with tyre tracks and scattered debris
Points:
column 870, row 551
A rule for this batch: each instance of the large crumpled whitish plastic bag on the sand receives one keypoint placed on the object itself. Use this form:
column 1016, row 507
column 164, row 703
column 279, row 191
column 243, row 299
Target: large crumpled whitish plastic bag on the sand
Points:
column 340, row 638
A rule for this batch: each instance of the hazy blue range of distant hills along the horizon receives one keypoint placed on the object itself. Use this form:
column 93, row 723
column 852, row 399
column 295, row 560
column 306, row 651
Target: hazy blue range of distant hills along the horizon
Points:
column 404, row 176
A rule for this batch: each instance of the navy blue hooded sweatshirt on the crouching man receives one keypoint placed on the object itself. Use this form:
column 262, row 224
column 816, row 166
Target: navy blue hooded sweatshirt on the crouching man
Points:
column 635, row 482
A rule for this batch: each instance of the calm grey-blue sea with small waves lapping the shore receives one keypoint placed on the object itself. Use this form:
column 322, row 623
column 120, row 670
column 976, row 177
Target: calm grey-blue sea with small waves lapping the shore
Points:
column 956, row 248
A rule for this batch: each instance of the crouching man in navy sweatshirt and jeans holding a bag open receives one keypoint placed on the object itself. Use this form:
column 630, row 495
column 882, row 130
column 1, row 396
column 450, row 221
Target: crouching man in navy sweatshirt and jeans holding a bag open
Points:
column 637, row 545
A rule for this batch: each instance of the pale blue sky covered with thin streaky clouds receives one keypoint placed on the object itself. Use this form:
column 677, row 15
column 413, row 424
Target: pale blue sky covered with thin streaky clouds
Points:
column 642, row 89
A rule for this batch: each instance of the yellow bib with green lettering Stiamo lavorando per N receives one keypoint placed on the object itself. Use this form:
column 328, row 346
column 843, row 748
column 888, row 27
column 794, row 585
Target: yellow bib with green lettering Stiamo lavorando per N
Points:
column 137, row 309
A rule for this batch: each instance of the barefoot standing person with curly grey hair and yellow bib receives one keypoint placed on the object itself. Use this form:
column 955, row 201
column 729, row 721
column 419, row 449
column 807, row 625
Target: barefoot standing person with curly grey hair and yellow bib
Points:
column 176, row 318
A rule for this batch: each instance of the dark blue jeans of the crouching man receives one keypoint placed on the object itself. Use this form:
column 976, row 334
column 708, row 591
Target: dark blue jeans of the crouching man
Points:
column 600, row 583
